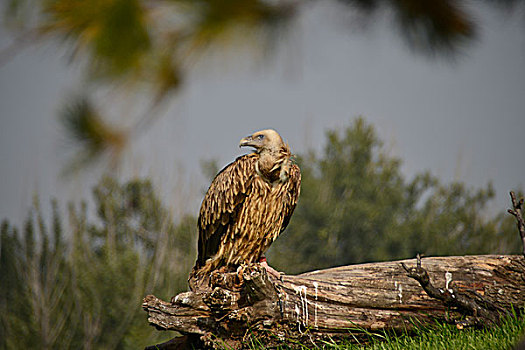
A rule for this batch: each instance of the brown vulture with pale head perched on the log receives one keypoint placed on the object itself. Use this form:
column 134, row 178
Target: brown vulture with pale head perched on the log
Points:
column 248, row 204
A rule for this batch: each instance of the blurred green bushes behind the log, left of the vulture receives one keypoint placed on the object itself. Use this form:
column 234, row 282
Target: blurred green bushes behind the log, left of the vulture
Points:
column 81, row 286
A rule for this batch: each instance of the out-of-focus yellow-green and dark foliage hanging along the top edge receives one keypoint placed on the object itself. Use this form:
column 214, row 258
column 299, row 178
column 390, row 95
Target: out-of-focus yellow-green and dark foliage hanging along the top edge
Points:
column 145, row 49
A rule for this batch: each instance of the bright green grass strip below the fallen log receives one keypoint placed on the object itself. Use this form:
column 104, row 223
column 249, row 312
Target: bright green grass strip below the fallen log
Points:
column 440, row 337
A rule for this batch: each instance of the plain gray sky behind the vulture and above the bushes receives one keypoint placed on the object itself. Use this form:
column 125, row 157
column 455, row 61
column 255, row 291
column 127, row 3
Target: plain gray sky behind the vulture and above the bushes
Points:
column 462, row 120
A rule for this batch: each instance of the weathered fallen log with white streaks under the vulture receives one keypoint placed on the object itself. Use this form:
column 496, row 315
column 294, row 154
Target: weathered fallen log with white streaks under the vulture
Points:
column 332, row 303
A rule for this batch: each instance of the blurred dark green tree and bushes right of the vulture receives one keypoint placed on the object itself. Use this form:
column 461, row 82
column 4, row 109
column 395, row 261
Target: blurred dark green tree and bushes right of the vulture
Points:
column 356, row 206
